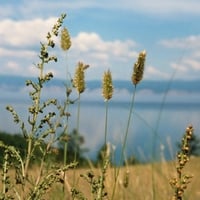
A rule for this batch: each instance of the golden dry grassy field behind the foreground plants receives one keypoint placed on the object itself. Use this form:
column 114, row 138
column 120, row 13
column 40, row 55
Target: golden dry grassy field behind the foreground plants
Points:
column 139, row 186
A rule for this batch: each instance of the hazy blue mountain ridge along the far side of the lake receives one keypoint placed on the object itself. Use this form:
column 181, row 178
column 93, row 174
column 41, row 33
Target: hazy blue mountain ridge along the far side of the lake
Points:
column 16, row 82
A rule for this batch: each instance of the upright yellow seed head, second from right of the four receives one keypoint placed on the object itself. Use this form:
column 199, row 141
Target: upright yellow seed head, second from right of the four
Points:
column 107, row 86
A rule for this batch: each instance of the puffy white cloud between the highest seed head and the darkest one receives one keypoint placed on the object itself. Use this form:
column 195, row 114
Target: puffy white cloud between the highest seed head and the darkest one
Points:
column 100, row 52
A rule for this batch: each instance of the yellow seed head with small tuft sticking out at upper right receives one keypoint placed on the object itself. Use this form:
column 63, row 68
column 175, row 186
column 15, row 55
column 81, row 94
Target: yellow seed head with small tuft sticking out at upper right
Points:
column 79, row 77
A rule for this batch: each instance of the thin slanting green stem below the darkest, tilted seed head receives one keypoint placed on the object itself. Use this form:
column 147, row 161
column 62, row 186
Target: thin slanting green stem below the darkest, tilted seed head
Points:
column 124, row 141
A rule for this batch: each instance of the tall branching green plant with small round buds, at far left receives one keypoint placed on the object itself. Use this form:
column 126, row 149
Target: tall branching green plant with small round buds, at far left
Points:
column 40, row 134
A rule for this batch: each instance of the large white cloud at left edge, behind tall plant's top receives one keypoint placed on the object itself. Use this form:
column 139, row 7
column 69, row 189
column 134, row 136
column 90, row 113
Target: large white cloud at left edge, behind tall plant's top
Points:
column 25, row 32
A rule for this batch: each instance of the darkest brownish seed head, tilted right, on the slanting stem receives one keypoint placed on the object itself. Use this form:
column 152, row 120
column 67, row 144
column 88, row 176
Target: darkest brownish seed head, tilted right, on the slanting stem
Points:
column 138, row 69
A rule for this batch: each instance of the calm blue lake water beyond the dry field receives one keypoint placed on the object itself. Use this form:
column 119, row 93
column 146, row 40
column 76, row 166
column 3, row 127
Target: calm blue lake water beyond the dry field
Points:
column 170, row 123
